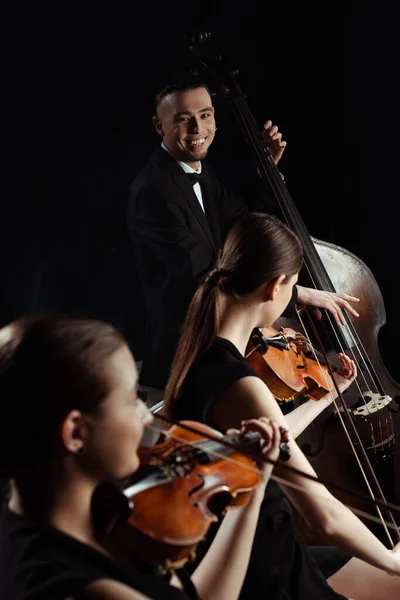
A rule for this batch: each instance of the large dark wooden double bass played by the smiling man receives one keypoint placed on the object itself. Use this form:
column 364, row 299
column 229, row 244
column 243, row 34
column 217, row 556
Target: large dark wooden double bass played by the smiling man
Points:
column 355, row 441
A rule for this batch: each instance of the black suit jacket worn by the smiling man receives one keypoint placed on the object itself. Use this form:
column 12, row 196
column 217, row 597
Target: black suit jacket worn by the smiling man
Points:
column 176, row 245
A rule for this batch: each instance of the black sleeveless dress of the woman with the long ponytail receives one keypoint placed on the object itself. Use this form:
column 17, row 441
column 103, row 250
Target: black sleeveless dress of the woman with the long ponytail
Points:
column 281, row 566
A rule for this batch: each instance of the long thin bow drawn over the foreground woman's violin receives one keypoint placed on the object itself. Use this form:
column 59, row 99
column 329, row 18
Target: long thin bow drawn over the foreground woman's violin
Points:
column 278, row 479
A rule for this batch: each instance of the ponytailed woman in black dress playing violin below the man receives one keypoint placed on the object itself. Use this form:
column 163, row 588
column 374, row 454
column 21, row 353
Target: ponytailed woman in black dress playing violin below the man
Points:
column 211, row 382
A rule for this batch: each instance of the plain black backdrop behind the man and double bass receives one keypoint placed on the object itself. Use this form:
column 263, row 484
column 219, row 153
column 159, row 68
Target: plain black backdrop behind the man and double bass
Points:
column 78, row 85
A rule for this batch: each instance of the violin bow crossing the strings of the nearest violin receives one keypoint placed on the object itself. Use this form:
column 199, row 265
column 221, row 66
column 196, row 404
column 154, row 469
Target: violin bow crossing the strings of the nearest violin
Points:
column 278, row 479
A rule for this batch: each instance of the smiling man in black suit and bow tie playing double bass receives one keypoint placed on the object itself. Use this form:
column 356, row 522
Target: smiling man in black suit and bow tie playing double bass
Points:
column 179, row 215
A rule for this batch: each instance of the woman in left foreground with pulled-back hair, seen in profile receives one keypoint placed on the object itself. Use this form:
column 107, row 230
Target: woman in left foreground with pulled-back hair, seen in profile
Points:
column 71, row 419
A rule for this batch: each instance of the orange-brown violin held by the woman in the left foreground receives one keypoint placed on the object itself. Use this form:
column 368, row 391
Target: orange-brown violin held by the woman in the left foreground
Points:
column 185, row 484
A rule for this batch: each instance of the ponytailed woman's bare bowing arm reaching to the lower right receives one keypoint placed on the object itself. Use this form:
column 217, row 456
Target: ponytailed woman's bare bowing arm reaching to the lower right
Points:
column 250, row 398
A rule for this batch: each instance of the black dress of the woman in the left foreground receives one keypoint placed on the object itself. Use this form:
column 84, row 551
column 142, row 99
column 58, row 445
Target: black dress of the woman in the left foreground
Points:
column 43, row 563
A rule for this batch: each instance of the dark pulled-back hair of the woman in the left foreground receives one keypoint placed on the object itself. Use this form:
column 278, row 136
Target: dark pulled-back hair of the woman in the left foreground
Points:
column 49, row 365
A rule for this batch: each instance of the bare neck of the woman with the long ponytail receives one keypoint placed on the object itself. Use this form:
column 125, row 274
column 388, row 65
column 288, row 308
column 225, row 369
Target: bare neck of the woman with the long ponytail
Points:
column 237, row 322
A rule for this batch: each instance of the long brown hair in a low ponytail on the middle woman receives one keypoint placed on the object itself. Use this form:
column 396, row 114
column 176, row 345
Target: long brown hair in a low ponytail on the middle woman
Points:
column 258, row 249
